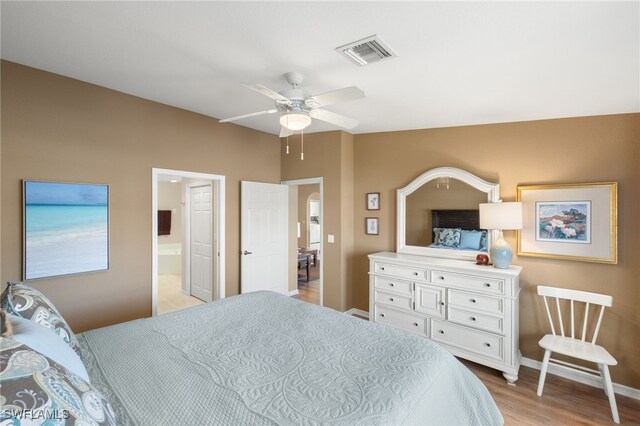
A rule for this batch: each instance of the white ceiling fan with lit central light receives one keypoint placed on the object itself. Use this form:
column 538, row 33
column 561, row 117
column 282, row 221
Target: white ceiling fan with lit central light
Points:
column 297, row 109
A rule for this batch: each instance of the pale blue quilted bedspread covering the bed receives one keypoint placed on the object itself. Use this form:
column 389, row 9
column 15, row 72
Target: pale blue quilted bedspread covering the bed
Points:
column 263, row 358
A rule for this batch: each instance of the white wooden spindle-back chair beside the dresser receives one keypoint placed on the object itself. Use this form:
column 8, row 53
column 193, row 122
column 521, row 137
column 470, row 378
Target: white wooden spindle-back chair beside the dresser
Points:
column 578, row 348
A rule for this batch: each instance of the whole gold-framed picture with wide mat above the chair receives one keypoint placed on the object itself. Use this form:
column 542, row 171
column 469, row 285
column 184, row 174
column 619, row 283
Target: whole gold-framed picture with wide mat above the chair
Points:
column 575, row 221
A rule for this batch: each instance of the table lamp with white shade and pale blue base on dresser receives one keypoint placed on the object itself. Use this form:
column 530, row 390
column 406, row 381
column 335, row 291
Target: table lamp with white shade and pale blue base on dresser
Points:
column 501, row 216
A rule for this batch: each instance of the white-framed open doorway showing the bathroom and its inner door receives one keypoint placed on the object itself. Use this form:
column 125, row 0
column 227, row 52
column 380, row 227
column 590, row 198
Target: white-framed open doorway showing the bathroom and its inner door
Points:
column 187, row 239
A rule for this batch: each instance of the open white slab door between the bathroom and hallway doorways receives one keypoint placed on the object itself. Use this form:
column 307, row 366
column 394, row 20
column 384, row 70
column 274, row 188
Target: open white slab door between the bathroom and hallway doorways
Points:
column 264, row 237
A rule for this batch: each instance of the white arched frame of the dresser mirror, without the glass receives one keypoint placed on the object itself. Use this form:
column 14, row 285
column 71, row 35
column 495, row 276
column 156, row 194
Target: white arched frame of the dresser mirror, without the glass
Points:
column 493, row 196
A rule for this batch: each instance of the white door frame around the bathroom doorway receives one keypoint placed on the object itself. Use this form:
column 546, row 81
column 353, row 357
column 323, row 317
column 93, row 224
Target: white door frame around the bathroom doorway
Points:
column 219, row 205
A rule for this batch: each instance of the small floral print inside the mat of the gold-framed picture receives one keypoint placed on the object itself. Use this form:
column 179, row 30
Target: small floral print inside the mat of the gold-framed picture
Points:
column 564, row 221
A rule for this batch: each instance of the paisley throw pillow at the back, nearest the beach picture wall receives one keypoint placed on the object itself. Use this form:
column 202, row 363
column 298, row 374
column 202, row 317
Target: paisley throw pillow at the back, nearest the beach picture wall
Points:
column 26, row 302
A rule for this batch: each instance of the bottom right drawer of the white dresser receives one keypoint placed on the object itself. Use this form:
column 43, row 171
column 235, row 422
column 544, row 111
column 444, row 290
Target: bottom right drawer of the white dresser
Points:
column 468, row 339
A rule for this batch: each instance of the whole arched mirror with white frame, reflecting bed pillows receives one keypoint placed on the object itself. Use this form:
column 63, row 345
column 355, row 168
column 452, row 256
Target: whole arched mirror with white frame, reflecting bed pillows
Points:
column 438, row 214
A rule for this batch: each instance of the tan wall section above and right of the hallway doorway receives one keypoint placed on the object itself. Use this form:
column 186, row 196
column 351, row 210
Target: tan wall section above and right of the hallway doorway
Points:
column 326, row 156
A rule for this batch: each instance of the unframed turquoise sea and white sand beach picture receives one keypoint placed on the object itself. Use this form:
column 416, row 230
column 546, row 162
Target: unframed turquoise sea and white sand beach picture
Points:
column 66, row 228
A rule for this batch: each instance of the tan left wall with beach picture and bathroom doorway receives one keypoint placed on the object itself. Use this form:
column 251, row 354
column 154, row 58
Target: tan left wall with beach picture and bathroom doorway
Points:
column 56, row 128
